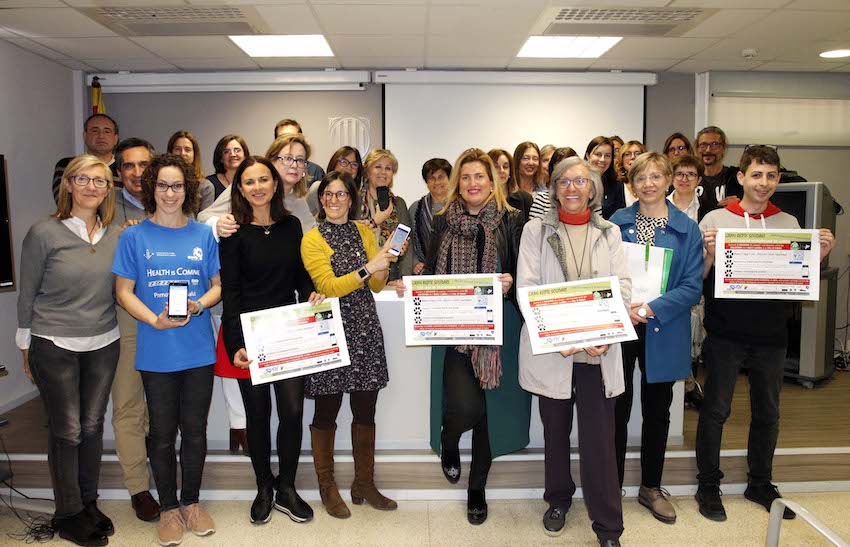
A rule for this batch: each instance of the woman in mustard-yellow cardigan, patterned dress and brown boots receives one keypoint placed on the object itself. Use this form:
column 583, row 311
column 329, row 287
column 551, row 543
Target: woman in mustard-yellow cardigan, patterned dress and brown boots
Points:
column 345, row 261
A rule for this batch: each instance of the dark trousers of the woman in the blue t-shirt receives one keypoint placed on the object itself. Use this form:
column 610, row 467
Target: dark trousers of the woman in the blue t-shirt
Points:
column 181, row 400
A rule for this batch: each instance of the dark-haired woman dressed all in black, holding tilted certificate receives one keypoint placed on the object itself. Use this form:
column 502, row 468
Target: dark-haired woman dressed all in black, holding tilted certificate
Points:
column 261, row 268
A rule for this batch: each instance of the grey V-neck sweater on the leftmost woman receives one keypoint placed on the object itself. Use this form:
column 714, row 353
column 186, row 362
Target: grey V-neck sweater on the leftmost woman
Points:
column 66, row 289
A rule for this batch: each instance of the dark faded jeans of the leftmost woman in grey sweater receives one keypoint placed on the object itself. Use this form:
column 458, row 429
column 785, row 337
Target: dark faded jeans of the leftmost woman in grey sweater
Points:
column 74, row 387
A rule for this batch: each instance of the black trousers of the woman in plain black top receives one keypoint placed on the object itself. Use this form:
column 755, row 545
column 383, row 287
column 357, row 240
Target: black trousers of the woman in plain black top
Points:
column 289, row 399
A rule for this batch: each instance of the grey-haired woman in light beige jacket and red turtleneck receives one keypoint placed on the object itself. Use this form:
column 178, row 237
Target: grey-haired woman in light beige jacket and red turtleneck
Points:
column 573, row 242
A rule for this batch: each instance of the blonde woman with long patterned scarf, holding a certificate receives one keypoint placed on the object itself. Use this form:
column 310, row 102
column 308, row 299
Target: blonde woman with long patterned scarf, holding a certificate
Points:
column 477, row 232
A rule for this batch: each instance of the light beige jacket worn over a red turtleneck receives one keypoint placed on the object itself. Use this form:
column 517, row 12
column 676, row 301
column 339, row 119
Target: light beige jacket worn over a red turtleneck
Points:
column 542, row 261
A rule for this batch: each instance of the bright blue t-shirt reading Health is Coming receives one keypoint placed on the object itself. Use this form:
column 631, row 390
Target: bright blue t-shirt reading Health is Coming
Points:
column 152, row 256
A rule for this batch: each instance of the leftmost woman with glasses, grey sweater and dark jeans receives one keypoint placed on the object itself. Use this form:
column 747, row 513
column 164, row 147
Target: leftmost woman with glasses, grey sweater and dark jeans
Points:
column 68, row 333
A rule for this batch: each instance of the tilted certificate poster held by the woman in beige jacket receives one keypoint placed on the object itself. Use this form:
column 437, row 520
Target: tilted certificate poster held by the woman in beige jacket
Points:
column 575, row 314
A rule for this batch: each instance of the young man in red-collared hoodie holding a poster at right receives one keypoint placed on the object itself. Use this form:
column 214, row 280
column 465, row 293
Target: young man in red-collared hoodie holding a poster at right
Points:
column 747, row 334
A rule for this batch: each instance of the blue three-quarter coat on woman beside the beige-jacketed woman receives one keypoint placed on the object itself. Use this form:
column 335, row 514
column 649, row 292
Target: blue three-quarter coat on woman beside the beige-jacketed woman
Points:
column 668, row 333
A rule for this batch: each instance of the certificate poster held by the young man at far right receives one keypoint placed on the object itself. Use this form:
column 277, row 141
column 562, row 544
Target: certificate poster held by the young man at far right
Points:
column 767, row 264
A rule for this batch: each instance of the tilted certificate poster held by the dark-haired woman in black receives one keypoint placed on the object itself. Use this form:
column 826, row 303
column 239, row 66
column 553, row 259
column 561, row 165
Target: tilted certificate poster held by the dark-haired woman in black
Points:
column 294, row 340
